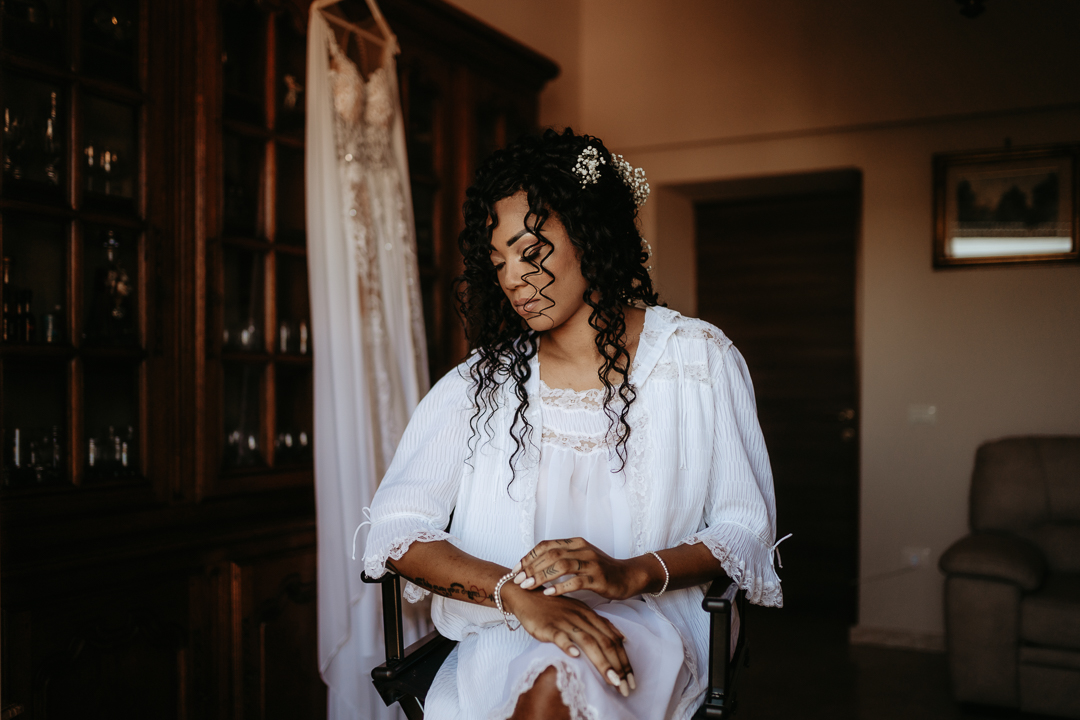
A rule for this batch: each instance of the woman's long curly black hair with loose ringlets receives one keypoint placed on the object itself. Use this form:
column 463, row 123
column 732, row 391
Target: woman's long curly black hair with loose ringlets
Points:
column 601, row 220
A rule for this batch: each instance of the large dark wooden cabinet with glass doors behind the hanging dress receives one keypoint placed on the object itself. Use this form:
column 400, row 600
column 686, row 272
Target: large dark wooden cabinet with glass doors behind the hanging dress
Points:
column 157, row 513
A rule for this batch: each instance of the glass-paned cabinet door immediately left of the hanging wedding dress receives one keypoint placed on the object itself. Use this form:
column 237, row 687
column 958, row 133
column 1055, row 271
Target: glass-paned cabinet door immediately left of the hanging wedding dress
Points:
column 261, row 351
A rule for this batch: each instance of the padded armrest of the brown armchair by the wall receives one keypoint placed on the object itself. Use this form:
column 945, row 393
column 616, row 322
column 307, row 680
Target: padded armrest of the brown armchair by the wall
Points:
column 996, row 556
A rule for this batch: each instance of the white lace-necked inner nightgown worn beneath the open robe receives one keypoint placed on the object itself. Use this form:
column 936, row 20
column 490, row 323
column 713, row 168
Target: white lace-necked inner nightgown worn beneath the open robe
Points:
column 583, row 493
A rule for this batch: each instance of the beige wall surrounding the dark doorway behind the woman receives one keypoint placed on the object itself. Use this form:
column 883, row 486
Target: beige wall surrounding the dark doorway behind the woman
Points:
column 699, row 91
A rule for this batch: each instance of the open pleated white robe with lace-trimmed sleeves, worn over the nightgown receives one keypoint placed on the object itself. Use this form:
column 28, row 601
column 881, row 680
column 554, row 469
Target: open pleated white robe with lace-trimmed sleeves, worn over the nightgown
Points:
column 697, row 471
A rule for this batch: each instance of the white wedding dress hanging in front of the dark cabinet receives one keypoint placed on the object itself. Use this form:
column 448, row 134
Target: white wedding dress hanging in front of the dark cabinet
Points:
column 350, row 423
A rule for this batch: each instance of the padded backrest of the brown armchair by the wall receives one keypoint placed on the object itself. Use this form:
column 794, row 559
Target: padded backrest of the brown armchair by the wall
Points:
column 1031, row 486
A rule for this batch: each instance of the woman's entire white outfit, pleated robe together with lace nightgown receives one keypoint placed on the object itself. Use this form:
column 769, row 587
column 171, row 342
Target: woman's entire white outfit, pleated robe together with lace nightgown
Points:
column 697, row 472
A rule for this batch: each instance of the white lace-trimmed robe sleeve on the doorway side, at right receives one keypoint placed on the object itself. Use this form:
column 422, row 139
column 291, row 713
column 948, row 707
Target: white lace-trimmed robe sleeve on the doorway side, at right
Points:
column 741, row 506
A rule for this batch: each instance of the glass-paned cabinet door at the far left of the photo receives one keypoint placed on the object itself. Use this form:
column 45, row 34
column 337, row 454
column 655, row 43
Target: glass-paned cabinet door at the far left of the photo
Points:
column 73, row 238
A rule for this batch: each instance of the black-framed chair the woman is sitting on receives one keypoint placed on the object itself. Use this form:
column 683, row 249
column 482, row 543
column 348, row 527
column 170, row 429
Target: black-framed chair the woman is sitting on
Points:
column 409, row 672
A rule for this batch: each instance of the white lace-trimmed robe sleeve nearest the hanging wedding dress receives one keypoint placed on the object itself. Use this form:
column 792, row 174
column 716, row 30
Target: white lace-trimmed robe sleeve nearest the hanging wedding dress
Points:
column 421, row 490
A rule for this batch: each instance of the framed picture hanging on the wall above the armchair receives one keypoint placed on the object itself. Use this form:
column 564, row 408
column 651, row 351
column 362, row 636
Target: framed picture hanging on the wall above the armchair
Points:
column 1007, row 207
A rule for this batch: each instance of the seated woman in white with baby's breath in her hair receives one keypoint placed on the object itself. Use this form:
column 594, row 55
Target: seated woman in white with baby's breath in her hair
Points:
column 601, row 455
